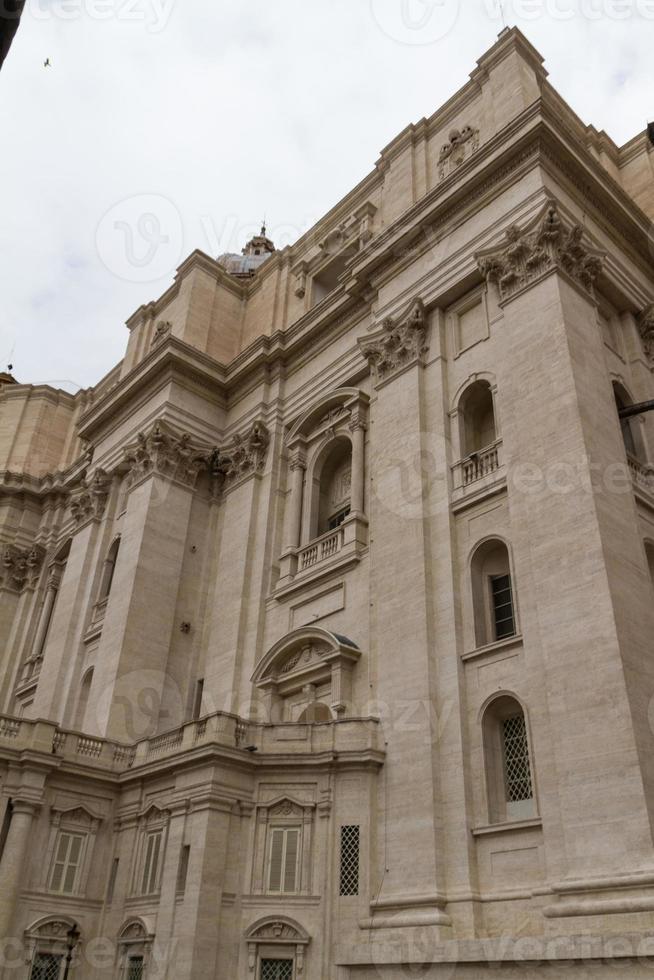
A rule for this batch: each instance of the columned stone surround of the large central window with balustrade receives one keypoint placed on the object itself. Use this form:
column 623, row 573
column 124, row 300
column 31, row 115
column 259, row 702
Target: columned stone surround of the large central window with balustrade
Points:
column 341, row 414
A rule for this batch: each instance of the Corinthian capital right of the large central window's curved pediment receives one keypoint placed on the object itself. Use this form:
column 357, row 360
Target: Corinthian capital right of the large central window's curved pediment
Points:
column 398, row 343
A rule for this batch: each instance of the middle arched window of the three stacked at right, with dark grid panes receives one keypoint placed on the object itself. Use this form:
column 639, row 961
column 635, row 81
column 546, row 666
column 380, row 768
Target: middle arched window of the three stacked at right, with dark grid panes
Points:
column 492, row 593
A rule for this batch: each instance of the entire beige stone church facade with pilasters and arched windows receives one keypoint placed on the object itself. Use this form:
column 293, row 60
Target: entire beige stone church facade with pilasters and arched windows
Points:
column 326, row 616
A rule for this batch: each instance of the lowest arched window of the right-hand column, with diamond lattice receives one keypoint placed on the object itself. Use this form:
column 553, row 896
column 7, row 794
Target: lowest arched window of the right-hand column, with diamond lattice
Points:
column 509, row 771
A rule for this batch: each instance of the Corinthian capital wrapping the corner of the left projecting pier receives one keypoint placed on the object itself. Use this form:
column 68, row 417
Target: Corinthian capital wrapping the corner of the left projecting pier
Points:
column 164, row 453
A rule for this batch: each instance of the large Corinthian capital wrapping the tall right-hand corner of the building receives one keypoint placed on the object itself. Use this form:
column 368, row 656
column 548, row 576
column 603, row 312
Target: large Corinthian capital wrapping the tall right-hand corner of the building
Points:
column 526, row 255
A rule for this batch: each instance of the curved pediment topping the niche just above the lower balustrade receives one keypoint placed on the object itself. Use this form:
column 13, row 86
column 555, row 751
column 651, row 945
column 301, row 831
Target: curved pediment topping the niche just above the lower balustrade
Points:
column 302, row 651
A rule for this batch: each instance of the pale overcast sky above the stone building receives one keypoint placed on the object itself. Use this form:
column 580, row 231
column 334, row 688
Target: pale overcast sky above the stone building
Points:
column 167, row 125
